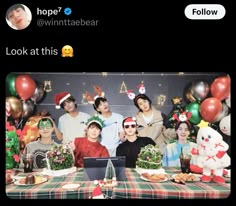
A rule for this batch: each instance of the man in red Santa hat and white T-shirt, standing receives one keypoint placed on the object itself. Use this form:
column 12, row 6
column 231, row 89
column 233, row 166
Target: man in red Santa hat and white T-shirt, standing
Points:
column 72, row 123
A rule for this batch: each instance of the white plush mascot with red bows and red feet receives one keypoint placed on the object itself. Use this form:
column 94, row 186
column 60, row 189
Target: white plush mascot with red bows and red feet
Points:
column 212, row 155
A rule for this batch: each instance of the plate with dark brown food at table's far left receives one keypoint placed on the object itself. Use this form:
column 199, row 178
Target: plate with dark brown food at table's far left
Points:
column 31, row 180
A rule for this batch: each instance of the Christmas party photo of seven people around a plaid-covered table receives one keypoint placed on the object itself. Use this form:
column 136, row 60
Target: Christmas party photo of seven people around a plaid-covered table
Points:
column 118, row 135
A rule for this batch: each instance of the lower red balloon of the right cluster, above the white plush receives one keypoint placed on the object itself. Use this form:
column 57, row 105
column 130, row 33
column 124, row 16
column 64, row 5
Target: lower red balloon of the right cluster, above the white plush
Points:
column 210, row 108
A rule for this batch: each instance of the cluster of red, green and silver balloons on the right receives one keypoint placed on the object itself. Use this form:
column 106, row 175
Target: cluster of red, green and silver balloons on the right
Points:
column 206, row 102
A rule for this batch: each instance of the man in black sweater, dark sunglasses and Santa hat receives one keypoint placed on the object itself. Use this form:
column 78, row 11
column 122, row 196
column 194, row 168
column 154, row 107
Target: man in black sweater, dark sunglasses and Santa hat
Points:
column 133, row 144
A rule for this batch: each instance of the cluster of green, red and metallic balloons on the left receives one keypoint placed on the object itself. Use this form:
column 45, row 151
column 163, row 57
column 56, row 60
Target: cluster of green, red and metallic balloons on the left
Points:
column 23, row 93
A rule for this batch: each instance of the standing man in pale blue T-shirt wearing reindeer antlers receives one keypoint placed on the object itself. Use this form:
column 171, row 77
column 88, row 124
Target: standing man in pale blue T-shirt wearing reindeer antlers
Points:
column 112, row 134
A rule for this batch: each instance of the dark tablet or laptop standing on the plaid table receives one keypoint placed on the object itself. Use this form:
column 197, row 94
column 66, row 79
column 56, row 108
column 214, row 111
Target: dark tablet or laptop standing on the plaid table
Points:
column 95, row 167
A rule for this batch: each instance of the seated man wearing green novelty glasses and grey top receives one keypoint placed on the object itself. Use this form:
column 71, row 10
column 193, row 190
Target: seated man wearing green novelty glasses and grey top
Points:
column 43, row 143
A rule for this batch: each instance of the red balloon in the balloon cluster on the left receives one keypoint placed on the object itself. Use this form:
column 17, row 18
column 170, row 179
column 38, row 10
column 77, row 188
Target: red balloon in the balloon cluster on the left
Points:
column 25, row 86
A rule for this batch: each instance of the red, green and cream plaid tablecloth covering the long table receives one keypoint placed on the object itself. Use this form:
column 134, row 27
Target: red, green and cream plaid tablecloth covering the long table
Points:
column 133, row 188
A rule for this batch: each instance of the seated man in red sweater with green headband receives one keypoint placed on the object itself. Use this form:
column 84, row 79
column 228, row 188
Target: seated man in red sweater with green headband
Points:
column 90, row 146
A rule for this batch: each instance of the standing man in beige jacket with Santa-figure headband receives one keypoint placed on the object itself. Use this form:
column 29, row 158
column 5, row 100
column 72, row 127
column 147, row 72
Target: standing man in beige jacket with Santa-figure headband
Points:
column 150, row 121
